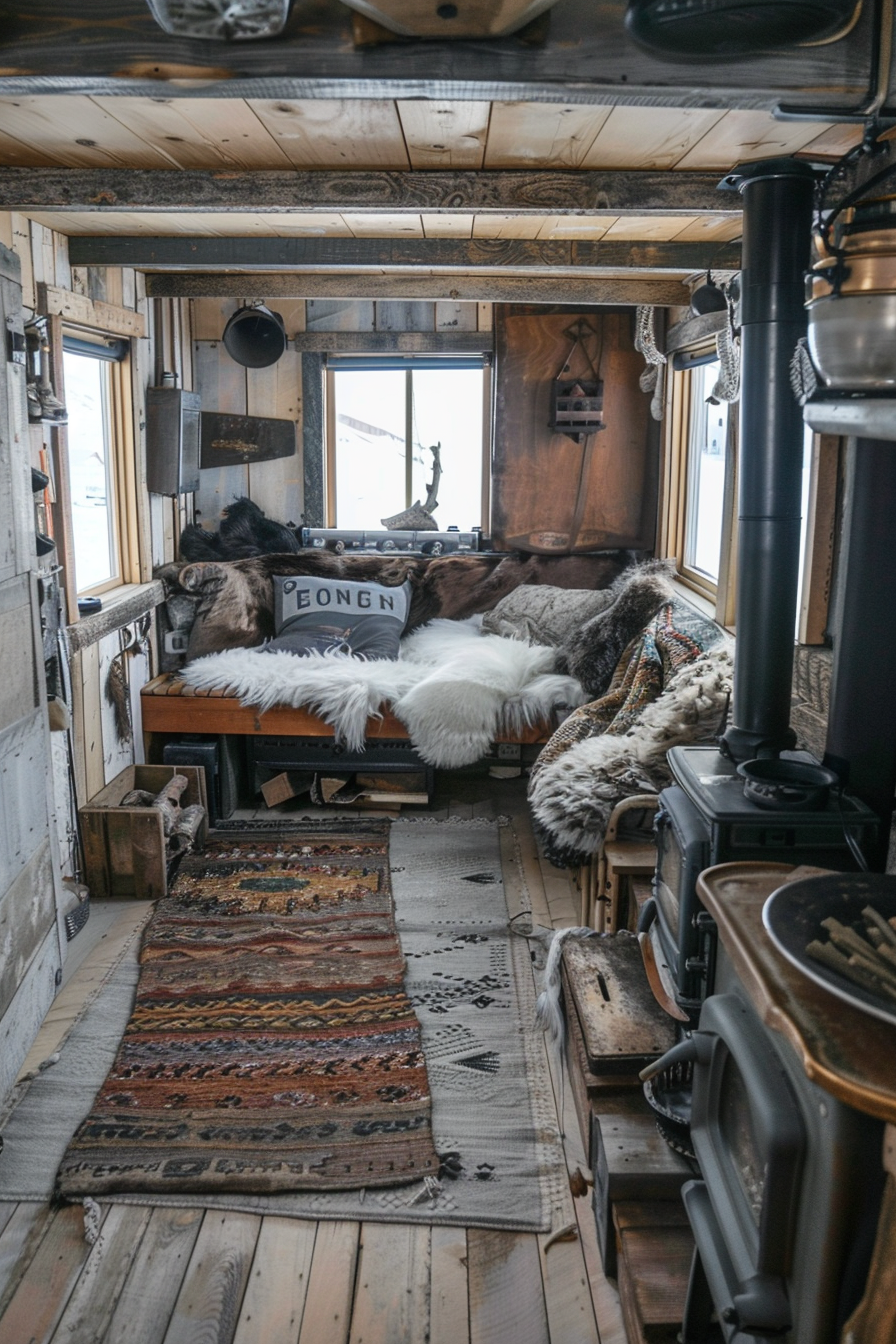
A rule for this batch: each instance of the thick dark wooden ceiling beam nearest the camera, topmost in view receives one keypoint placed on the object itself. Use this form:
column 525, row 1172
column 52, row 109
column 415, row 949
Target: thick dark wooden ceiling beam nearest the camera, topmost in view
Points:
column 588, row 56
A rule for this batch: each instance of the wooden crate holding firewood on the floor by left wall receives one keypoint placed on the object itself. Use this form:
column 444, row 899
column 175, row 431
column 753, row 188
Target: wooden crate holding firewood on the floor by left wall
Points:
column 126, row 847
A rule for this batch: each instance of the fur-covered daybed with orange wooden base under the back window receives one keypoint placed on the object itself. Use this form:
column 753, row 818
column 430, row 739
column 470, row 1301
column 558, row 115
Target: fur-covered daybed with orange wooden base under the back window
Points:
column 628, row 670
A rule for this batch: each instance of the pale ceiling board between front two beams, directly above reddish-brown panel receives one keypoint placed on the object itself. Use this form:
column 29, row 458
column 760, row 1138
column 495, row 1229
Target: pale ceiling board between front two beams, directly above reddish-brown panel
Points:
column 529, row 135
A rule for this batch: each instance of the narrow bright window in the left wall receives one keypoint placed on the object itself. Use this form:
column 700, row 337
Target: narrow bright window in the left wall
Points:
column 95, row 388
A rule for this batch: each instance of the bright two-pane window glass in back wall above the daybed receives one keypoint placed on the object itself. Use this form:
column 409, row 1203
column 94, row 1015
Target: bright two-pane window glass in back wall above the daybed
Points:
column 385, row 416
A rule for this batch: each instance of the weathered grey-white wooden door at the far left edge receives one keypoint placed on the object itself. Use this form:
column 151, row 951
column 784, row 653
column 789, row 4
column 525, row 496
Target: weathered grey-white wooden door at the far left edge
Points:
column 32, row 936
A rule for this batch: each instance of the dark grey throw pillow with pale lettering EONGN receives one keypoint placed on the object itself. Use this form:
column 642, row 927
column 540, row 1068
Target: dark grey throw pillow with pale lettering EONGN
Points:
column 339, row 616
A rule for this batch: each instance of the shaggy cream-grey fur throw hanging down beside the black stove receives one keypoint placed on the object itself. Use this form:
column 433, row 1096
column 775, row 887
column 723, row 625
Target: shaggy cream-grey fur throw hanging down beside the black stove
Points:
column 573, row 798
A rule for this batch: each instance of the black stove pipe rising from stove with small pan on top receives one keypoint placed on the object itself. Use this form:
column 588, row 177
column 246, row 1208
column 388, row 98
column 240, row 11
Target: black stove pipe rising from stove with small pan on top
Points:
column 777, row 222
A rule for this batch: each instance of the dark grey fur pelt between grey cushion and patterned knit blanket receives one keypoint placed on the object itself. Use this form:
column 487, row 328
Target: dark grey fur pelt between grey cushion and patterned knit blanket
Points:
column 594, row 653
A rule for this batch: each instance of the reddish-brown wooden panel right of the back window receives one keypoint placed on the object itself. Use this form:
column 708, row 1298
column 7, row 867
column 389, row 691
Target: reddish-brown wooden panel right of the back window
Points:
column 553, row 495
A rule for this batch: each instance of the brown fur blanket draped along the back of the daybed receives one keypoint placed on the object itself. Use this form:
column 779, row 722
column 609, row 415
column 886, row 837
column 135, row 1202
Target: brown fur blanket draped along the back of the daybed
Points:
column 236, row 605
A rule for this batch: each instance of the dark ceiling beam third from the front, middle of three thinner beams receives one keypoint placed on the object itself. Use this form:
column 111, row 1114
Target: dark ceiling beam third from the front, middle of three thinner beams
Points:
column 248, row 255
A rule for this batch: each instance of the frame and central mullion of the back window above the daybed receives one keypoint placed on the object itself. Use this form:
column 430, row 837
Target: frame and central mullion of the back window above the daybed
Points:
column 392, row 362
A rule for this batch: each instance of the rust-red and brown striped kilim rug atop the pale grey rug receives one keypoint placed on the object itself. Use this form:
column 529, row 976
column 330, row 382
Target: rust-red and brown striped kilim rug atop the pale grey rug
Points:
column 272, row 1045
